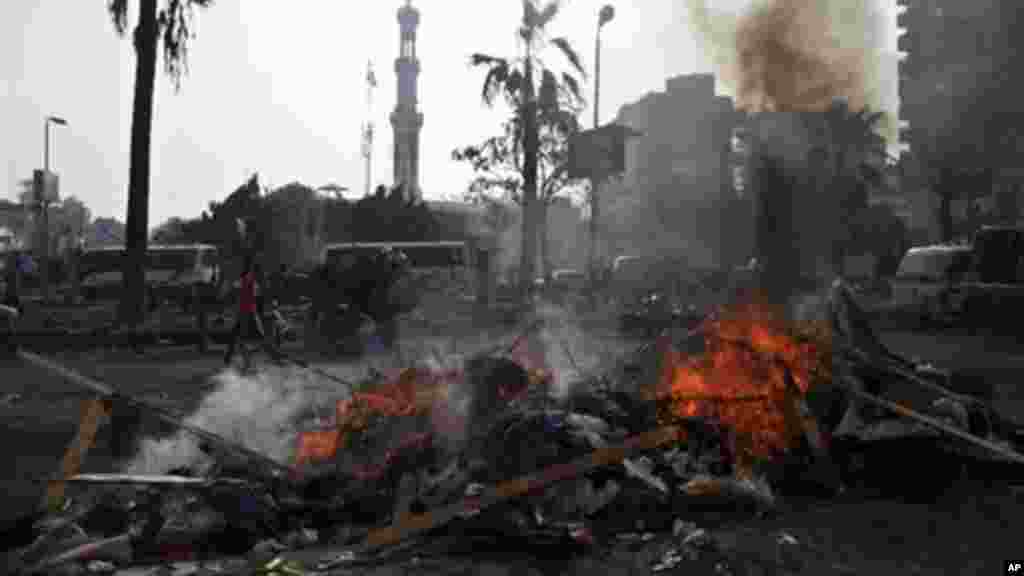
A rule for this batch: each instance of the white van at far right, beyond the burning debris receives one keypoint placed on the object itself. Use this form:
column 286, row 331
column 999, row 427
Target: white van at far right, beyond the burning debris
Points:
column 925, row 277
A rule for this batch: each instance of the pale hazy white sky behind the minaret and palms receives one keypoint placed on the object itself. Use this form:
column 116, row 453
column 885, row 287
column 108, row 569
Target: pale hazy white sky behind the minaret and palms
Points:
column 279, row 88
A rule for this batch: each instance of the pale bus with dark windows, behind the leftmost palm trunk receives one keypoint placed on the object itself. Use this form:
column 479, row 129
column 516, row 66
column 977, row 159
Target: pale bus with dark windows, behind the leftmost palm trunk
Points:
column 173, row 272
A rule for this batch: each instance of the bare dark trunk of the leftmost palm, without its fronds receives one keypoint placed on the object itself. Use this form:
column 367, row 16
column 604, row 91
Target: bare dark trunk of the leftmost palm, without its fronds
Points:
column 139, row 177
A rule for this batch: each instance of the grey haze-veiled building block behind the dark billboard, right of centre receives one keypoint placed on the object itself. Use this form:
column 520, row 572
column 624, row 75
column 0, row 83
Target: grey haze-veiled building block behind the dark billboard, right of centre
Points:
column 670, row 200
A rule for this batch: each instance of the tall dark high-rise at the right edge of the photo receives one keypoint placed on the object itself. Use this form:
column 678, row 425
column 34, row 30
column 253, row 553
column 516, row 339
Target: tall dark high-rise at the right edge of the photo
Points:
column 961, row 86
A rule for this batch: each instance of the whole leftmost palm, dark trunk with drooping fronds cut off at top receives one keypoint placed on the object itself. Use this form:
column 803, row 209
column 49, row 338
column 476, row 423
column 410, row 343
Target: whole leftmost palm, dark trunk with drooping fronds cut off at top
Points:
column 169, row 27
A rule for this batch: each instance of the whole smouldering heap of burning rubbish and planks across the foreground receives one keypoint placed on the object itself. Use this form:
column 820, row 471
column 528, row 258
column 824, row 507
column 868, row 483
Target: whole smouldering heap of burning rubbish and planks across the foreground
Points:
column 455, row 456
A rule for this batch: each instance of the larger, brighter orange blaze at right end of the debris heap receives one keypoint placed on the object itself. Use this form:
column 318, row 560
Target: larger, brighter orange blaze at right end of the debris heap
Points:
column 741, row 379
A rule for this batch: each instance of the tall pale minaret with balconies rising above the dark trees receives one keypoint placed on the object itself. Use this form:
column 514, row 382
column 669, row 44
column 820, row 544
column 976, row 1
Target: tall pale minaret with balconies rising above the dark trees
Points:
column 407, row 120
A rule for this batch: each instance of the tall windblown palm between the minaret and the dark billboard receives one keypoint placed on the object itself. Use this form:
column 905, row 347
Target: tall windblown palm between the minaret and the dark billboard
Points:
column 535, row 92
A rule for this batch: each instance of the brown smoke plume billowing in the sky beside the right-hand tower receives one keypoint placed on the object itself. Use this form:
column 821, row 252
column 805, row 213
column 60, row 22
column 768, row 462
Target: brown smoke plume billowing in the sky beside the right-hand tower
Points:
column 798, row 56
